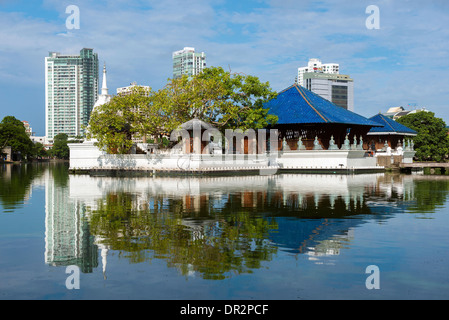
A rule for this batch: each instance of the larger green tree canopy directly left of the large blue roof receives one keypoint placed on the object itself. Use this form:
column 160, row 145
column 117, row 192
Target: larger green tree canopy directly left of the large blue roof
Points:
column 223, row 99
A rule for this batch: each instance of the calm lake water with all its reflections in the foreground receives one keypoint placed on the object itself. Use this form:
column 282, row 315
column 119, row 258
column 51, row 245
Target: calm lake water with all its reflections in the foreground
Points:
column 286, row 236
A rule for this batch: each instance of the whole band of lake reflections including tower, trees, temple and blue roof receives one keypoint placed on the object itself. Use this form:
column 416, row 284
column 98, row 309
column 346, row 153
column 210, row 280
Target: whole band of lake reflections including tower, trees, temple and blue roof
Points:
column 213, row 227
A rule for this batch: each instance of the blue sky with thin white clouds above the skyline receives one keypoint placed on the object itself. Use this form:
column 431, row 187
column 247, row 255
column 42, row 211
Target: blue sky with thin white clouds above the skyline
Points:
column 404, row 62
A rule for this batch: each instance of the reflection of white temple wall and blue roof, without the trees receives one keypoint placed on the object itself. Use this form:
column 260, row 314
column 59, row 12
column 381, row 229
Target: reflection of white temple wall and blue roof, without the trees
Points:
column 306, row 213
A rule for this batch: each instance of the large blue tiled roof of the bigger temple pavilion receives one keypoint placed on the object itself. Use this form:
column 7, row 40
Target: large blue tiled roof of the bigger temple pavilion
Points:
column 297, row 105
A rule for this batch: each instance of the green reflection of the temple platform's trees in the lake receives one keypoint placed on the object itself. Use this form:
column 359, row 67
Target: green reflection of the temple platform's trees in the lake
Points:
column 228, row 243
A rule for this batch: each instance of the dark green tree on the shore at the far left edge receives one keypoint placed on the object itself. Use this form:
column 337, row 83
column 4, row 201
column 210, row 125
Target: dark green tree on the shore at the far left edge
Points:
column 13, row 134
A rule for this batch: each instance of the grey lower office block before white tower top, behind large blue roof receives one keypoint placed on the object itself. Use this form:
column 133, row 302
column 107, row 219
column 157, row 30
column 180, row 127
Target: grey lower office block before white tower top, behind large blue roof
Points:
column 337, row 88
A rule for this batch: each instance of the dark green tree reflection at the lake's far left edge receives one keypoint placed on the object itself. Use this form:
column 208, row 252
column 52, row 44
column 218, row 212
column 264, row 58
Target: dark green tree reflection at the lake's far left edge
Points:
column 15, row 182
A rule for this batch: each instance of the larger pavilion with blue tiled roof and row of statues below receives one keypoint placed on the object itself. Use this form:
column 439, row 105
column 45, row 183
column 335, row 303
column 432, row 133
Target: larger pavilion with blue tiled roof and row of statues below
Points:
column 308, row 121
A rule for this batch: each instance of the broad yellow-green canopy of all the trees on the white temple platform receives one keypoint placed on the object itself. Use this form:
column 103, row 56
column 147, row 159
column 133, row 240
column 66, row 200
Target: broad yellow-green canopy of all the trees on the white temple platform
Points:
column 223, row 99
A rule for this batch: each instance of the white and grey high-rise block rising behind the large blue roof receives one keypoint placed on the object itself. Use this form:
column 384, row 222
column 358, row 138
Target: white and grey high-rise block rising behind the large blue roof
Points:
column 326, row 81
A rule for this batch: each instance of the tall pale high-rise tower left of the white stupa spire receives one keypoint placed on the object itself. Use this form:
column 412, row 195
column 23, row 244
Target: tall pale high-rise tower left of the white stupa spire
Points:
column 71, row 90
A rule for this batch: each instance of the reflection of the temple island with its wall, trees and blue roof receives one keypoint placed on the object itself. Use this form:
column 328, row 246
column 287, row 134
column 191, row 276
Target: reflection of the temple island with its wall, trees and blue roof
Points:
column 189, row 219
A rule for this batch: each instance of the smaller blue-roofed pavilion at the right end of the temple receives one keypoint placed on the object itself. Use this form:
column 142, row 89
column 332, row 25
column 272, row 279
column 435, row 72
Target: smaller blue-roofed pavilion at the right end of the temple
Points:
column 391, row 132
